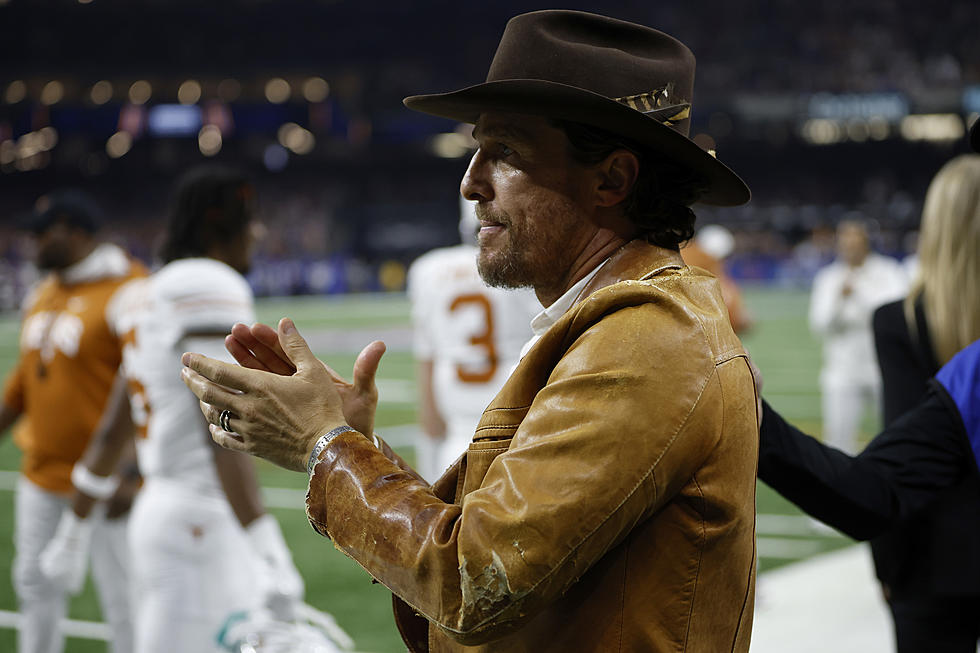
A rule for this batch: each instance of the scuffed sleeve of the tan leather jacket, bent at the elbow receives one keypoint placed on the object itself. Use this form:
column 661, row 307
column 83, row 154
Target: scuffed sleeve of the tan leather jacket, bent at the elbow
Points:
column 622, row 422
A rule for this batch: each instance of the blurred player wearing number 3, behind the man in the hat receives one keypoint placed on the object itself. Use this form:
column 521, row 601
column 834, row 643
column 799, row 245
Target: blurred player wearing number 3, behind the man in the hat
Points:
column 468, row 338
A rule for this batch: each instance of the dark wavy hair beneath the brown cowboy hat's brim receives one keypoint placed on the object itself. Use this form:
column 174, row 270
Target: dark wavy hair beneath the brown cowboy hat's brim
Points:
column 660, row 201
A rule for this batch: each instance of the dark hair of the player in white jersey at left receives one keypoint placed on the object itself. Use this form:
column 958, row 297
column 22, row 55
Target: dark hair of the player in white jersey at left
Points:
column 210, row 204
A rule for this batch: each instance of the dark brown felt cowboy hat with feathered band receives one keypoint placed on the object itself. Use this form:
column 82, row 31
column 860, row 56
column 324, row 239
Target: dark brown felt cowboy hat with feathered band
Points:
column 625, row 78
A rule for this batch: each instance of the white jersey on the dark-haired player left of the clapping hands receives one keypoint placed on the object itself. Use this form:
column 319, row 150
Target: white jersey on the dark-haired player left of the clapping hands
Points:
column 154, row 316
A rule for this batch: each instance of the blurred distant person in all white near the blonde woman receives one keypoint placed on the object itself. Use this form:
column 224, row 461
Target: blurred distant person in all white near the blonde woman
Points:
column 845, row 295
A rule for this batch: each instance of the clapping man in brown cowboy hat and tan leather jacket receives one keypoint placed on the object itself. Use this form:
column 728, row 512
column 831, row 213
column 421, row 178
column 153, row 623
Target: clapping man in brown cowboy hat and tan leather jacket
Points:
column 607, row 500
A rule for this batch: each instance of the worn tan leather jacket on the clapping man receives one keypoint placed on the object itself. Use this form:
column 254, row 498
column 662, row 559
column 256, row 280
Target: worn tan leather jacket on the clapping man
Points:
column 607, row 502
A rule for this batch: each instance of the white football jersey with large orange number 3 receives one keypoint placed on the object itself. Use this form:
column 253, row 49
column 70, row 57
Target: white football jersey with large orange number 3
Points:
column 472, row 333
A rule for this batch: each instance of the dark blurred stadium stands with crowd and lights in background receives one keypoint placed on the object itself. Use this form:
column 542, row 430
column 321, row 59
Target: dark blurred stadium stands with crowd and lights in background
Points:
column 859, row 103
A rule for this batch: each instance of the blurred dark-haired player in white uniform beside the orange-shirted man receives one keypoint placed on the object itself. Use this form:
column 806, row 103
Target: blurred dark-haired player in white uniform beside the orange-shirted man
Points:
column 202, row 545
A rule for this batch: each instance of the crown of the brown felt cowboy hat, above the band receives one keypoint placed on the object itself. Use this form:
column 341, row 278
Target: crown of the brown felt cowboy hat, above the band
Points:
column 609, row 57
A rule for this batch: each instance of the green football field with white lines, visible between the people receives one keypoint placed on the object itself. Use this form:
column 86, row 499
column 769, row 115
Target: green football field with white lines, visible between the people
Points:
column 336, row 328
